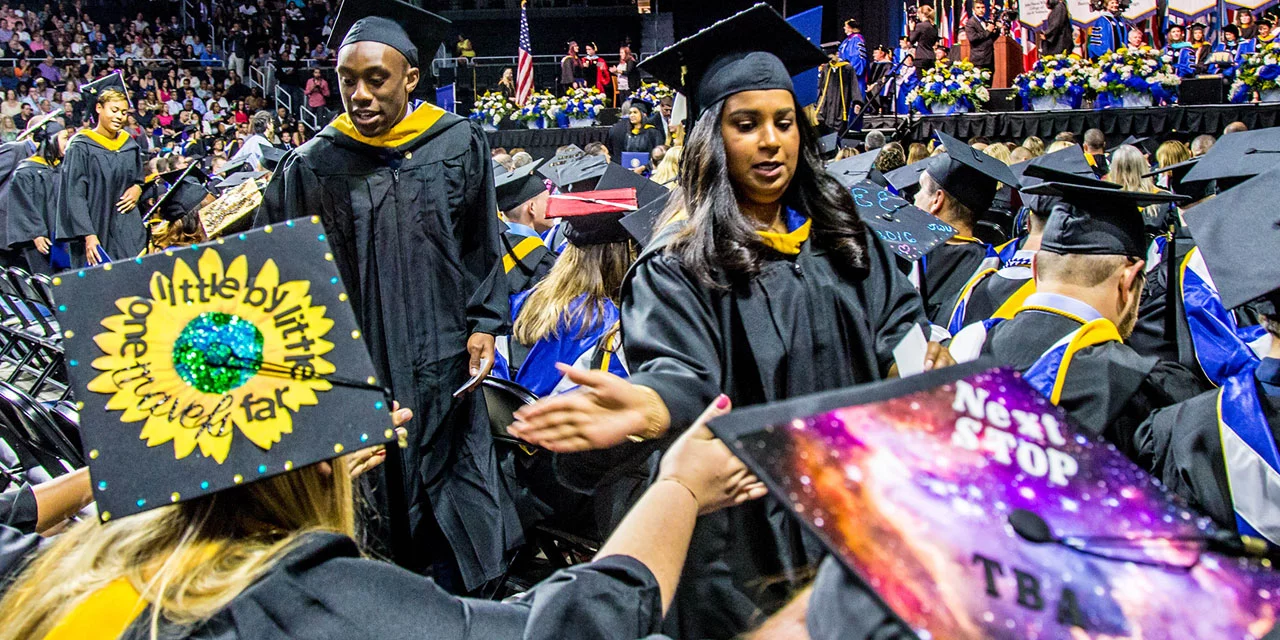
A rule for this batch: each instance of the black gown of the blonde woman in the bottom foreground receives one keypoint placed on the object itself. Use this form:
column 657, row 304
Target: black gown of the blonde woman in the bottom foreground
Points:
column 324, row 589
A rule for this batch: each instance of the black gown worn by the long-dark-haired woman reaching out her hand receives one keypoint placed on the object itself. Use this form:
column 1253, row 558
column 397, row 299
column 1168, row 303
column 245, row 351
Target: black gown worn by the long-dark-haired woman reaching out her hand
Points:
column 803, row 326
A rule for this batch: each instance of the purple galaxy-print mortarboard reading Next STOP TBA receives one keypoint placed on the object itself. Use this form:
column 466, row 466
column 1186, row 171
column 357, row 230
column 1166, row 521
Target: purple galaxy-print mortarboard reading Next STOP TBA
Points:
column 913, row 483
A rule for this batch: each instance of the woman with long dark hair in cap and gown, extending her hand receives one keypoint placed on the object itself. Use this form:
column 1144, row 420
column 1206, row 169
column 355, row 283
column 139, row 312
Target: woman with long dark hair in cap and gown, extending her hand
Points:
column 764, row 285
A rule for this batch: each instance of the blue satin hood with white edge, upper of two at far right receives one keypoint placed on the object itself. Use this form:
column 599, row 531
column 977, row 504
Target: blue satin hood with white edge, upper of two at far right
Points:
column 1222, row 348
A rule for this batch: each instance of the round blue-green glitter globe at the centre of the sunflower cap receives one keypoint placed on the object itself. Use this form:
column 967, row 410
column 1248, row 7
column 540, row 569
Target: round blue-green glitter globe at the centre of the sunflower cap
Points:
column 218, row 353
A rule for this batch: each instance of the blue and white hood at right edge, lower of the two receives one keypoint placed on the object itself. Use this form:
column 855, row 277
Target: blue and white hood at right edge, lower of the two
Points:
column 1251, row 458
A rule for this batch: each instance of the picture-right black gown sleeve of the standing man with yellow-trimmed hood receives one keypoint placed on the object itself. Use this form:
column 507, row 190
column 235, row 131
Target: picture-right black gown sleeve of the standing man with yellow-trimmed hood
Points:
column 478, row 234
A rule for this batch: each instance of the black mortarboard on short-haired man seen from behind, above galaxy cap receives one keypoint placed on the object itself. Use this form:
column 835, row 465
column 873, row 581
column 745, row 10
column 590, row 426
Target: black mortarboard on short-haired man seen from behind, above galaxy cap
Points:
column 1092, row 220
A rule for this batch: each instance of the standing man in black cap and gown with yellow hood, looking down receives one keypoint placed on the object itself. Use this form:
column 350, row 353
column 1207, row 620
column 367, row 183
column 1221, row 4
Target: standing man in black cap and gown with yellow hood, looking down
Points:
column 408, row 202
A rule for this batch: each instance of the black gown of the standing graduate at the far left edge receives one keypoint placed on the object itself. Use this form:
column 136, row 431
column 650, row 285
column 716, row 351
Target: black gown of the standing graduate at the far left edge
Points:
column 33, row 211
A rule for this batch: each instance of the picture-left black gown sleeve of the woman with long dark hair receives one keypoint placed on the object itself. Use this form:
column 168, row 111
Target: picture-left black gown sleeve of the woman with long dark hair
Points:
column 671, row 339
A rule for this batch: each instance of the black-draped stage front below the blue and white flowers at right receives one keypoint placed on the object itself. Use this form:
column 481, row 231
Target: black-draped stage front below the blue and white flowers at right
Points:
column 1117, row 124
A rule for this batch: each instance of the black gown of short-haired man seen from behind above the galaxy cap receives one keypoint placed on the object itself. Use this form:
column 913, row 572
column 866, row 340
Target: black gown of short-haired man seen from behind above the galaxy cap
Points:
column 1110, row 390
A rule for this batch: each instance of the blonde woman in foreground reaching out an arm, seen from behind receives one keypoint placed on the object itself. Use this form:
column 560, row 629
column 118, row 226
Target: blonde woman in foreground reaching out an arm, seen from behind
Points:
column 276, row 559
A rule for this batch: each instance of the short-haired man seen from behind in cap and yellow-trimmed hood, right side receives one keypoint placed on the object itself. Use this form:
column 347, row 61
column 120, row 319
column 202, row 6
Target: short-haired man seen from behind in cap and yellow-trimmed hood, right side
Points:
column 1068, row 337
